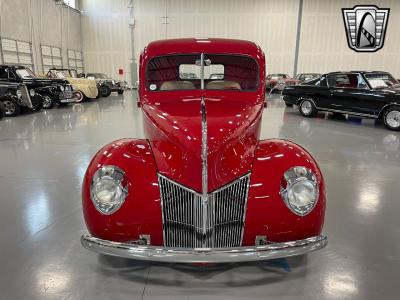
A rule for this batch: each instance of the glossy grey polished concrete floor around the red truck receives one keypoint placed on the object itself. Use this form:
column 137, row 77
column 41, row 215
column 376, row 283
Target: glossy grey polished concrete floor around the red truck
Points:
column 43, row 157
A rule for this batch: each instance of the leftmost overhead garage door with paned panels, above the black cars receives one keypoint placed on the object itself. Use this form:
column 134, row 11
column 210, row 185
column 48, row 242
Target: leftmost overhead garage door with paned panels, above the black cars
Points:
column 17, row 53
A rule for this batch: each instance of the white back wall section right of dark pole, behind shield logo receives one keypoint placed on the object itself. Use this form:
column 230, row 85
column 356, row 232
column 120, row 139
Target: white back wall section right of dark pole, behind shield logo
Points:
column 323, row 43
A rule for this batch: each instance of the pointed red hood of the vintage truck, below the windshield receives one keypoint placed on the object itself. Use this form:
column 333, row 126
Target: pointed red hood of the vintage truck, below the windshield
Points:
column 173, row 125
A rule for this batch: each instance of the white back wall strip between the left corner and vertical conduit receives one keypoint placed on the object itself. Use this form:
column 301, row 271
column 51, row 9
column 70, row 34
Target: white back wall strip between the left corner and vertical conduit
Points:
column 106, row 37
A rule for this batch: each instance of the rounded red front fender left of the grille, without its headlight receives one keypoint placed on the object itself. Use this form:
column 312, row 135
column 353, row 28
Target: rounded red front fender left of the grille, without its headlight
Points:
column 140, row 214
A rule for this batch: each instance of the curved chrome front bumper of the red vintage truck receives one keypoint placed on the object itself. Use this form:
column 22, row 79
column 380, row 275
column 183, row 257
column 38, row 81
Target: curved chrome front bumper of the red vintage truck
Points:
column 204, row 255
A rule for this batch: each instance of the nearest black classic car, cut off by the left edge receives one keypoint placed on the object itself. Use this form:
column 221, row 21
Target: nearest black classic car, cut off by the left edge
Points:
column 16, row 97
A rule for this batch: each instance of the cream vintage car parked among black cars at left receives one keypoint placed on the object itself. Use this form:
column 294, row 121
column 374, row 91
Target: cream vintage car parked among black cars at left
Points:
column 83, row 88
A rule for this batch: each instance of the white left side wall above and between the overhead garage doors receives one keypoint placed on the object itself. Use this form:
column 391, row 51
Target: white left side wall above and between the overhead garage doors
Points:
column 41, row 22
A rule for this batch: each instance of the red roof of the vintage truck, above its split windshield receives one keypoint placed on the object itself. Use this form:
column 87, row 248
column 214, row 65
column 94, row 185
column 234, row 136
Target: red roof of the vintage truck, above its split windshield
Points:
column 199, row 45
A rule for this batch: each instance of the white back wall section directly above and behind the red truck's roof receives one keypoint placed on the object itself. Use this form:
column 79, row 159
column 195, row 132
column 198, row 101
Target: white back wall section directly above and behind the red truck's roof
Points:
column 269, row 23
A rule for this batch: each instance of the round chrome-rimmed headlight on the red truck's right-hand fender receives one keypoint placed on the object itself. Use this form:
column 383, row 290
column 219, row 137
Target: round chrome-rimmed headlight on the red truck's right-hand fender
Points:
column 299, row 190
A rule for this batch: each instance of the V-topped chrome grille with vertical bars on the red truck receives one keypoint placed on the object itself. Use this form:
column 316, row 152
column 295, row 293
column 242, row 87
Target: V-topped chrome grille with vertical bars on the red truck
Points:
column 191, row 220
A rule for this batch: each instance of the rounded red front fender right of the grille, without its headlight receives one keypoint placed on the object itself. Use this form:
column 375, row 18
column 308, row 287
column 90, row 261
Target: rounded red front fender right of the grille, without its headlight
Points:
column 267, row 214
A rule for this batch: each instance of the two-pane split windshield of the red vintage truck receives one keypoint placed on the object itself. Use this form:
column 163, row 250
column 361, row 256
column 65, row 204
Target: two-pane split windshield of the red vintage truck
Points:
column 219, row 72
